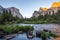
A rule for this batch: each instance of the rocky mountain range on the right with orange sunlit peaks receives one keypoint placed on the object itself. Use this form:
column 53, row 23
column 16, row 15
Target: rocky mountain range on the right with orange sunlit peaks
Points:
column 52, row 10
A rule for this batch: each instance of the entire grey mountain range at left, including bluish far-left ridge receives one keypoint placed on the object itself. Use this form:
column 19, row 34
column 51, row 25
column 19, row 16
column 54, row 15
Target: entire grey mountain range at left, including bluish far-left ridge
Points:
column 14, row 11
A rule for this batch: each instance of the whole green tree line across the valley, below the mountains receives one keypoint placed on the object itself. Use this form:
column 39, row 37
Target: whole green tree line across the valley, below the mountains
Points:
column 7, row 17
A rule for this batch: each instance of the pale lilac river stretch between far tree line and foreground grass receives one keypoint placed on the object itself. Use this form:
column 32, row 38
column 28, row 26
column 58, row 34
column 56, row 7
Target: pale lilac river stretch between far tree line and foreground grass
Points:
column 40, row 27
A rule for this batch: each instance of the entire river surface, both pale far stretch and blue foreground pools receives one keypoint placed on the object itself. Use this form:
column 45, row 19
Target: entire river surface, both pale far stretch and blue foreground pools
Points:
column 37, row 27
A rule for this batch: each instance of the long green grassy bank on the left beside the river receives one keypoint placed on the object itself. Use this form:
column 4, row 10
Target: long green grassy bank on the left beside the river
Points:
column 15, row 29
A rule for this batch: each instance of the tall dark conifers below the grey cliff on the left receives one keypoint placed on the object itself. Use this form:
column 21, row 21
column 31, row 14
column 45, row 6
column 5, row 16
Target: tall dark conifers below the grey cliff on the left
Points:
column 6, row 17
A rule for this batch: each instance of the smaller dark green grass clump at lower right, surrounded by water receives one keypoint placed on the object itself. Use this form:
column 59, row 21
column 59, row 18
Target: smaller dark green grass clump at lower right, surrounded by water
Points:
column 47, row 34
